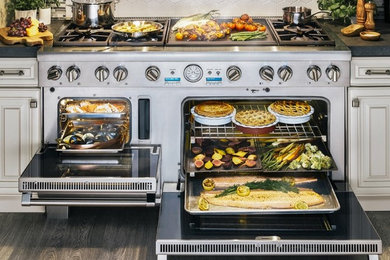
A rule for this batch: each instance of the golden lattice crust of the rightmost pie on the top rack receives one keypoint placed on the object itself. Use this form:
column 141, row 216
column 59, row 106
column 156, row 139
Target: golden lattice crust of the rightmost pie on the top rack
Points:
column 290, row 107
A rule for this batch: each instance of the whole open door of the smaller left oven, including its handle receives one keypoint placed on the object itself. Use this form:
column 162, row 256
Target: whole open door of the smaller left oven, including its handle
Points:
column 127, row 178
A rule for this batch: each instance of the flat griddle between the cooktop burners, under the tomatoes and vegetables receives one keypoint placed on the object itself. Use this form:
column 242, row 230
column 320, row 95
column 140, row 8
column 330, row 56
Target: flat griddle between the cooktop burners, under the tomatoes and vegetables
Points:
column 225, row 41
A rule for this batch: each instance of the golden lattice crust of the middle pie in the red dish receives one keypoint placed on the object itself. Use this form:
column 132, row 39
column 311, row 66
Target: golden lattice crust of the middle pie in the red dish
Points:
column 254, row 117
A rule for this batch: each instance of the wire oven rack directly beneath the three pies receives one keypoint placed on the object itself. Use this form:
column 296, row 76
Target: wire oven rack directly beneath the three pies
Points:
column 305, row 130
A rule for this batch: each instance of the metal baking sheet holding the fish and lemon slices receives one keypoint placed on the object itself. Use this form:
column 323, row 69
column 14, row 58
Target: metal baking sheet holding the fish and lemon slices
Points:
column 317, row 182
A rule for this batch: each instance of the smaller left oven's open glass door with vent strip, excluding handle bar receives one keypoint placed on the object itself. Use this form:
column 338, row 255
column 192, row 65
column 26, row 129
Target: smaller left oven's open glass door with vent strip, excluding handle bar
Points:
column 51, row 171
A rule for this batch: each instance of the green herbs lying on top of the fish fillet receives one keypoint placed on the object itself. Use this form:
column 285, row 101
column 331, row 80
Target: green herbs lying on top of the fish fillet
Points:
column 268, row 184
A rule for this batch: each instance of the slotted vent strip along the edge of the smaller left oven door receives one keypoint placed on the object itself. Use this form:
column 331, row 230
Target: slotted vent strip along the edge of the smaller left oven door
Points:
column 141, row 186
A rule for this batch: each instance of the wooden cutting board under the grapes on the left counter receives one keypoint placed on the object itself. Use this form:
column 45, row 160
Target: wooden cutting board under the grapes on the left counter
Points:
column 28, row 40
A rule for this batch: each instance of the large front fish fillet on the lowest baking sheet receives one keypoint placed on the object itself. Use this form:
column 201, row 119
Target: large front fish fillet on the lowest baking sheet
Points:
column 265, row 199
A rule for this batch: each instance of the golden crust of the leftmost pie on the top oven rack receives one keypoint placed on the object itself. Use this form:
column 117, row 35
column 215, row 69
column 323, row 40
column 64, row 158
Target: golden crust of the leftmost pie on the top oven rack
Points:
column 214, row 109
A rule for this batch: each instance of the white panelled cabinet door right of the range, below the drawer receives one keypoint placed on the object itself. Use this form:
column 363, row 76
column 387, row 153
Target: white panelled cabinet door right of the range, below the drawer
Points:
column 369, row 145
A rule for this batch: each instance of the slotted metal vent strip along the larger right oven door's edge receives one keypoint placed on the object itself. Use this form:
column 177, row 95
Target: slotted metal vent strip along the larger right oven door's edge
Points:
column 267, row 247
